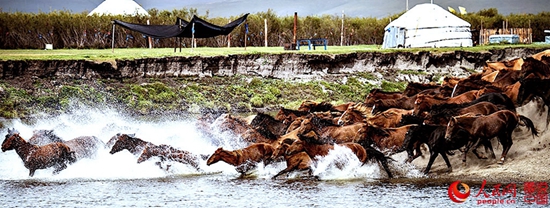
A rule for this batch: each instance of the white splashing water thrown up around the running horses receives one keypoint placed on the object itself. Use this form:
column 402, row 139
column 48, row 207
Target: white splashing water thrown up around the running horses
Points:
column 179, row 132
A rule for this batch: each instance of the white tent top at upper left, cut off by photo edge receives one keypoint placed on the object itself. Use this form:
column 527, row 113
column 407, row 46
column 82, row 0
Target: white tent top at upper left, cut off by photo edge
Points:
column 119, row 7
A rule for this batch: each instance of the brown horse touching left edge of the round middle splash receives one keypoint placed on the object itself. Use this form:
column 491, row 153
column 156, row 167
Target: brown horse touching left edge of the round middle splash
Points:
column 299, row 161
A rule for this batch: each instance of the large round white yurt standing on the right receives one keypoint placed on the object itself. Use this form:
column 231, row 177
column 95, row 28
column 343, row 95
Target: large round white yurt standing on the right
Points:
column 427, row 25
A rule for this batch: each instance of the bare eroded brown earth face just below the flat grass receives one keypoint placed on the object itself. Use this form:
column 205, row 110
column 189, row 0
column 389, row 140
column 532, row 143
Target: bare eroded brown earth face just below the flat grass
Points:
column 417, row 65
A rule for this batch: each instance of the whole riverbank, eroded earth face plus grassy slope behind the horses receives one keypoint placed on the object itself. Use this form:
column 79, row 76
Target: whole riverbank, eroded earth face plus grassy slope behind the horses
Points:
column 231, row 83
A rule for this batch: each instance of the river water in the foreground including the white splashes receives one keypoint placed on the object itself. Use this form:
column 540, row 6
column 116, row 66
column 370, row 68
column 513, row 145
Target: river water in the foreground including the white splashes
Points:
column 117, row 180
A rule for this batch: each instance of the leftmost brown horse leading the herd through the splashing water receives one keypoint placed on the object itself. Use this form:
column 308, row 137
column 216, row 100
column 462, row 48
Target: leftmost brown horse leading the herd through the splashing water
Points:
column 39, row 157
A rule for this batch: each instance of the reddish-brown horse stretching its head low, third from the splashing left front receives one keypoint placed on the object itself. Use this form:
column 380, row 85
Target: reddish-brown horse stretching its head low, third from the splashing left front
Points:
column 243, row 159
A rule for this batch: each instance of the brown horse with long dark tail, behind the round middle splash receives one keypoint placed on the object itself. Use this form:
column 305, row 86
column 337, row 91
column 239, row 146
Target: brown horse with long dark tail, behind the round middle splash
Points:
column 313, row 147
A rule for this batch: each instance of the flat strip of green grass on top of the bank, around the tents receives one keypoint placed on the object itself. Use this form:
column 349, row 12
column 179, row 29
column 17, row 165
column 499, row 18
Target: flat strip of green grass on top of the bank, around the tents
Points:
column 138, row 53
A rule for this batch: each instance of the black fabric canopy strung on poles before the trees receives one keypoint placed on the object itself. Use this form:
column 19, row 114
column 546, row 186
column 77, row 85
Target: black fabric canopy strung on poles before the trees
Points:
column 182, row 28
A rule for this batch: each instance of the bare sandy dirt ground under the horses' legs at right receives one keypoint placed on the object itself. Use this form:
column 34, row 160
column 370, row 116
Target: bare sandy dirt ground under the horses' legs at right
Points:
column 527, row 160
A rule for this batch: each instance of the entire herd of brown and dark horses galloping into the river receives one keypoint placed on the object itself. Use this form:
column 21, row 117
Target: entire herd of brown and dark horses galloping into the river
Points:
column 460, row 114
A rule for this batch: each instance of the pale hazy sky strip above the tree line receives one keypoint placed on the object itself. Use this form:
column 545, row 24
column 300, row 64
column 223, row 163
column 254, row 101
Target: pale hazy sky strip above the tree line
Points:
column 228, row 8
